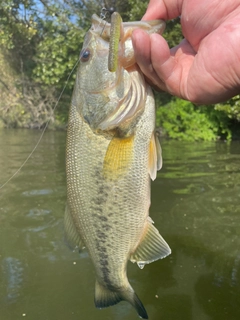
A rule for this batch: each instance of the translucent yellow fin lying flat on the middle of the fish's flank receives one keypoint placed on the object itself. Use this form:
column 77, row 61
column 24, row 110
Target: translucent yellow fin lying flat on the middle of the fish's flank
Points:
column 118, row 157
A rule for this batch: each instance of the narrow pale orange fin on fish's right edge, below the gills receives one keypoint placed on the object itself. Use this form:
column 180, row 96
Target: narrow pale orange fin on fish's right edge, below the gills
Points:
column 155, row 157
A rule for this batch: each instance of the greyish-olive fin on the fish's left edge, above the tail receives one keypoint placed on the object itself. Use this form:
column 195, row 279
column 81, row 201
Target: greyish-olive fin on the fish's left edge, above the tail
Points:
column 72, row 236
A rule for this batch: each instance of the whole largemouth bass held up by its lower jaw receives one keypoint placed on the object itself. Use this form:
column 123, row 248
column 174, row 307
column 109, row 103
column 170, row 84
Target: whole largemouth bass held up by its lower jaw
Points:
column 112, row 154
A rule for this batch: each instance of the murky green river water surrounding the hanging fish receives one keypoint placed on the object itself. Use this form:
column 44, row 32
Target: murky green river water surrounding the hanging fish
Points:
column 195, row 205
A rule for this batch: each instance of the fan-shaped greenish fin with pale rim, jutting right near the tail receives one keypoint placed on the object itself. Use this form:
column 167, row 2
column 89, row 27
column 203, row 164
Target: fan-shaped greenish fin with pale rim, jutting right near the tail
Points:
column 151, row 248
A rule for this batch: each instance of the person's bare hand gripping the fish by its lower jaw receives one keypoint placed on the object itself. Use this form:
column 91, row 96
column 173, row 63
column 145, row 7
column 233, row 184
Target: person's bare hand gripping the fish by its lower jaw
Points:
column 205, row 67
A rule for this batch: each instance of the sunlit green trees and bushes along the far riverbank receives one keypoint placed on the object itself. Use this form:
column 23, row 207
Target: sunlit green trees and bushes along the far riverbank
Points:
column 40, row 41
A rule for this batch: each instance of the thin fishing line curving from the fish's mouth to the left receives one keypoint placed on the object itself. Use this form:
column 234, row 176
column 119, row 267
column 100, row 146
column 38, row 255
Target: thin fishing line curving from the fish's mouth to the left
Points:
column 103, row 16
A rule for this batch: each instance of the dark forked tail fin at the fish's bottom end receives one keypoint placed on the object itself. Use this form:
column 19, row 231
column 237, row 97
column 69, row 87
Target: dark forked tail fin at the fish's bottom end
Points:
column 105, row 297
